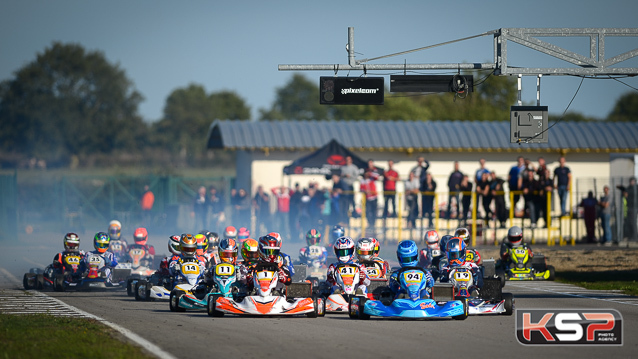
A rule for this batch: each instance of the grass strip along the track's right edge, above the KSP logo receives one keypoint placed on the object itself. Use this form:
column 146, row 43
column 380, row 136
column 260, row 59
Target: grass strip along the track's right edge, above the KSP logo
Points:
column 606, row 280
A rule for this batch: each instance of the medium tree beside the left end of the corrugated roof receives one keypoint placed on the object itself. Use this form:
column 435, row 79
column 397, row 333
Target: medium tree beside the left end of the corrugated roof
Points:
column 188, row 114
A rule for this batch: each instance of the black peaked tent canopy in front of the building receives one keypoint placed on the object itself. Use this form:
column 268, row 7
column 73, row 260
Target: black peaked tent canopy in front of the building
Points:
column 325, row 161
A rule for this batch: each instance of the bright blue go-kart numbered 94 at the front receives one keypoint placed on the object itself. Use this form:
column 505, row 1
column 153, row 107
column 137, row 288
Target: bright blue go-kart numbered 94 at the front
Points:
column 413, row 300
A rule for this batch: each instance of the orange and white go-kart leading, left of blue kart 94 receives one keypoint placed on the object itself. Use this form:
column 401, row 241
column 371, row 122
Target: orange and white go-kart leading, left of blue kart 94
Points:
column 266, row 299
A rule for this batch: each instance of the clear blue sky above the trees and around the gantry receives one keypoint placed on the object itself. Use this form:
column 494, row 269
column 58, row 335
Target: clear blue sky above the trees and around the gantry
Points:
column 237, row 45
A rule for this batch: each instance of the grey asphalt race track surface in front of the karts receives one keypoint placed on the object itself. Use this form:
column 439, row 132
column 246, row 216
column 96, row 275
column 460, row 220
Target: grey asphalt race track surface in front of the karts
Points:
column 194, row 334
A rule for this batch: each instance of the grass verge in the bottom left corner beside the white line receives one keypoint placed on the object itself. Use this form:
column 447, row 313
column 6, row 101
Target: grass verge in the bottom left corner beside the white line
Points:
column 46, row 336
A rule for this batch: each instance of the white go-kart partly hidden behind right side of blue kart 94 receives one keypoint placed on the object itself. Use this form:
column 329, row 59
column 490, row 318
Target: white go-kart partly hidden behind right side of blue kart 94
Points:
column 489, row 299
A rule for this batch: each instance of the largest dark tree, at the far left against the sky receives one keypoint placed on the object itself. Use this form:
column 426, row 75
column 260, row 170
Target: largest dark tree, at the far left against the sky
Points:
column 69, row 101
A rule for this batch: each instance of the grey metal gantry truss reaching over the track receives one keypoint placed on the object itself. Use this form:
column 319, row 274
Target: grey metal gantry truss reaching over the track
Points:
column 596, row 64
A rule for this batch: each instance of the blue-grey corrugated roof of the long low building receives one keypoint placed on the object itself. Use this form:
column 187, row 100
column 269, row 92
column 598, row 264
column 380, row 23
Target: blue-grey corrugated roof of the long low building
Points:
column 418, row 136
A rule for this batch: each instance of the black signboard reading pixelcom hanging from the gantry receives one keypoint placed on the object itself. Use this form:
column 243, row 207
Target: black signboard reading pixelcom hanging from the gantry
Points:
column 351, row 90
